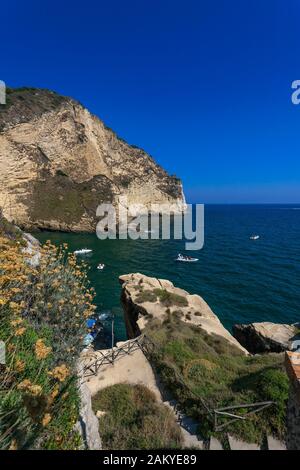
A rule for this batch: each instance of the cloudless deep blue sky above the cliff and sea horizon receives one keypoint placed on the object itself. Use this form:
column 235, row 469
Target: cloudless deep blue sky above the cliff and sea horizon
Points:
column 202, row 85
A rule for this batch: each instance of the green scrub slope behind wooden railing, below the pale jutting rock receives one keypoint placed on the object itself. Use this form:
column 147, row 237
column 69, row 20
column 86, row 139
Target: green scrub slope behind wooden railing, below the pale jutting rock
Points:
column 194, row 365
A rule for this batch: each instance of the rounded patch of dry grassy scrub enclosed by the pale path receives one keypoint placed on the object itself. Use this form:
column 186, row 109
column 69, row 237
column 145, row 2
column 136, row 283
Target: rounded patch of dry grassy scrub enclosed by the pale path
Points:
column 134, row 419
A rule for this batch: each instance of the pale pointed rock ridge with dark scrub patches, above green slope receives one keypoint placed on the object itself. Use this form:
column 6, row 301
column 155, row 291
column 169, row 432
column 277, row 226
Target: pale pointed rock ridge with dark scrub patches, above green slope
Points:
column 144, row 298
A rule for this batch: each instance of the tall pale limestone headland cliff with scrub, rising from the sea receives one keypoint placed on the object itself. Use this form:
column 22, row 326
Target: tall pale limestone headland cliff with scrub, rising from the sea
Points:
column 58, row 162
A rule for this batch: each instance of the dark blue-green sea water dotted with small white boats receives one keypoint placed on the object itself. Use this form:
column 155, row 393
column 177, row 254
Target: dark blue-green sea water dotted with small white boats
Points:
column 242, row 280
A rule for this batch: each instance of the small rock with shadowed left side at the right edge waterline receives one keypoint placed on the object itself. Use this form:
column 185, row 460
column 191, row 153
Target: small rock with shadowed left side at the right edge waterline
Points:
column 265, row 336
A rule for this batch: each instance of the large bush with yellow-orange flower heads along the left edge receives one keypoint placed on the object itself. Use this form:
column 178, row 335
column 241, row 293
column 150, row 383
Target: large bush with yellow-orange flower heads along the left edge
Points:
column 42, row 323
